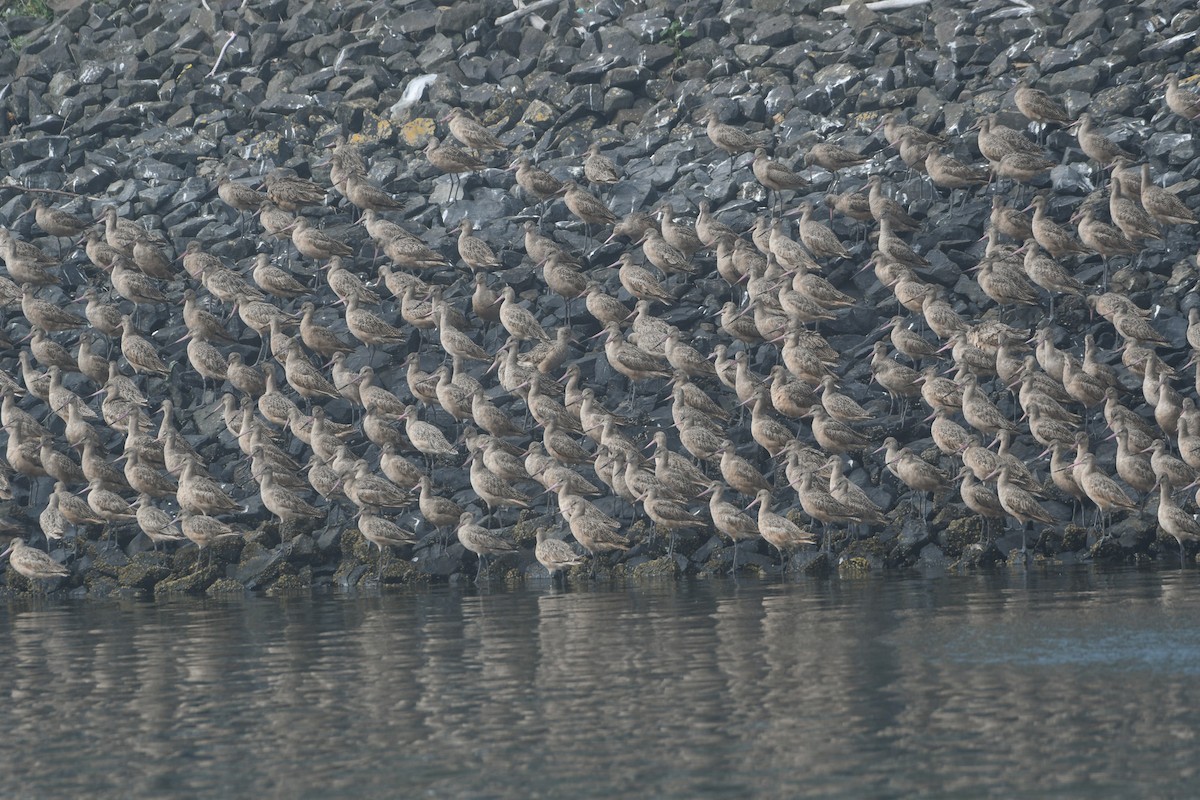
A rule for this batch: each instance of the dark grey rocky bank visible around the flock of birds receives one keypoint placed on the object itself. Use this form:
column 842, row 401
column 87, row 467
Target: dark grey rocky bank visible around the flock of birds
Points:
column 141, row 106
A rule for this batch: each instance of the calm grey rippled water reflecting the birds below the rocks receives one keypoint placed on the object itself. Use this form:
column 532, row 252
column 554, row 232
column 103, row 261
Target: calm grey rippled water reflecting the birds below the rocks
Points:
column 1048, row 684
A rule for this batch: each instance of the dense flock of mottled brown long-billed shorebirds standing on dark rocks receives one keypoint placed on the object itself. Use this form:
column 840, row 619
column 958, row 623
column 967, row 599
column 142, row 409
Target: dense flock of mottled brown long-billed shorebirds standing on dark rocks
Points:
column 575, row 448
